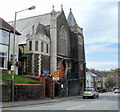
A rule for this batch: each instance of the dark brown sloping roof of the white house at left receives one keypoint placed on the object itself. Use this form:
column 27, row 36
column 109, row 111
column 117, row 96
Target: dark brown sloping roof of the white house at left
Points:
column 5, row 26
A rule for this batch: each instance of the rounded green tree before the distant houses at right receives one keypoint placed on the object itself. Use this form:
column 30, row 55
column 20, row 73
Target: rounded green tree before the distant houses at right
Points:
column 110, row 82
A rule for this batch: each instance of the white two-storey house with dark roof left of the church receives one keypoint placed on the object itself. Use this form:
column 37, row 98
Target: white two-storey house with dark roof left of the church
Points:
column 6, row 44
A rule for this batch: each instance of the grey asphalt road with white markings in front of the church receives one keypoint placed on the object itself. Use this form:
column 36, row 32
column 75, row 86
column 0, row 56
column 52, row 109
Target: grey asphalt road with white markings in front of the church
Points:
column 106, row 101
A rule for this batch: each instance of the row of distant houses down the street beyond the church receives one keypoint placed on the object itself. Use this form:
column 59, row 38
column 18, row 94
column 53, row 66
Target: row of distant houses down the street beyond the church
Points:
column 97, row 79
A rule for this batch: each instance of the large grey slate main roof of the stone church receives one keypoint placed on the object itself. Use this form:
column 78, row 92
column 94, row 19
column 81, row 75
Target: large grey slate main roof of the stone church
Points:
column 24, row 26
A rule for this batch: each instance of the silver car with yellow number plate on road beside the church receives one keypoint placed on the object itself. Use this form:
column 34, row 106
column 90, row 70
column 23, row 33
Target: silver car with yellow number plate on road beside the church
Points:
column 90, row 92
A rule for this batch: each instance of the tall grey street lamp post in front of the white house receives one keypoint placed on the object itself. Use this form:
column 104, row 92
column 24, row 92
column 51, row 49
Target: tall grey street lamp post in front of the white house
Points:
column 13, row 66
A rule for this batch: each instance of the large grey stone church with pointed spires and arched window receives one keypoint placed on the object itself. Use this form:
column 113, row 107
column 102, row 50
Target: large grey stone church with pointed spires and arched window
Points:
column 53, row 42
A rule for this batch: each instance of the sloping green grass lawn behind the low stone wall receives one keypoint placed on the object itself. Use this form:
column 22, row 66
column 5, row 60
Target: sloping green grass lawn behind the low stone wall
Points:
column 19, row 79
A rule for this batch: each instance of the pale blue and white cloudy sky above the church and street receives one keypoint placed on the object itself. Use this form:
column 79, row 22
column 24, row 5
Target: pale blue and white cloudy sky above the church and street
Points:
column 98, row 18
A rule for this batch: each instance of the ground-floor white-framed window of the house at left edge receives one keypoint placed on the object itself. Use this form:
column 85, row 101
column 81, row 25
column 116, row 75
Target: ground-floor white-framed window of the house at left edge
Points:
column 3, row 60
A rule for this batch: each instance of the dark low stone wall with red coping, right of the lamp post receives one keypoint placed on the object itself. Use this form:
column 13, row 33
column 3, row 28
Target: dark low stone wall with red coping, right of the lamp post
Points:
column 28, row 92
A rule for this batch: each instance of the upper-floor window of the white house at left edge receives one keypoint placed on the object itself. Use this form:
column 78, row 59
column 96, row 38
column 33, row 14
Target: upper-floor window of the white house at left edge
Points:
column 4, row 37
